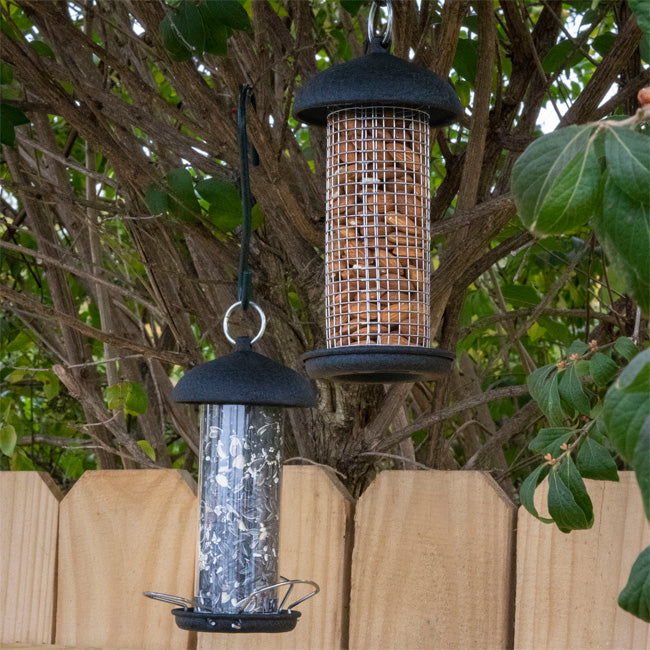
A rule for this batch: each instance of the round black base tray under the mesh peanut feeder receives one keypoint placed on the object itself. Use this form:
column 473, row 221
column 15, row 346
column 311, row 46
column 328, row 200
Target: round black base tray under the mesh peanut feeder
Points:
column 378, row 364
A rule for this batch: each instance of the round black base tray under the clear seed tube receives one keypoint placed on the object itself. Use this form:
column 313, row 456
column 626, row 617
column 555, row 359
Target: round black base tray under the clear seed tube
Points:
column 282, row 621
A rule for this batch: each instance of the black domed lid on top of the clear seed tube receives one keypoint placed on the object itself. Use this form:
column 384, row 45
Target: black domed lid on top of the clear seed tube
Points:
column 244, row 377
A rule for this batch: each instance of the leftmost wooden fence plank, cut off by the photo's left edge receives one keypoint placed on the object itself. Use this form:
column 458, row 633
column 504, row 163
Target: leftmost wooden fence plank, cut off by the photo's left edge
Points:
column 29, row 513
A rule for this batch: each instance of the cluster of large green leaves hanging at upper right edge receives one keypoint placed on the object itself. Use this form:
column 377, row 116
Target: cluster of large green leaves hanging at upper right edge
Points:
column 560, row 184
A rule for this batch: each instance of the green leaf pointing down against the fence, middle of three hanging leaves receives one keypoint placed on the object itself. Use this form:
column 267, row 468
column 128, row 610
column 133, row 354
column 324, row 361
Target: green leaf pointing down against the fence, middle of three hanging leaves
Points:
column 568, row 502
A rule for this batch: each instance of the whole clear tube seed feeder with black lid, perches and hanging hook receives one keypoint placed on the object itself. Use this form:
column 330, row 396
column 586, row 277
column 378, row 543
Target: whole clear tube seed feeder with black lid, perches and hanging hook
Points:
column 242, row 397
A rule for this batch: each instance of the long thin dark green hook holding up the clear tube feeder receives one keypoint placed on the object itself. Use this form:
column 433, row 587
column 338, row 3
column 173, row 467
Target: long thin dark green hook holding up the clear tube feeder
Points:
column 243, row 292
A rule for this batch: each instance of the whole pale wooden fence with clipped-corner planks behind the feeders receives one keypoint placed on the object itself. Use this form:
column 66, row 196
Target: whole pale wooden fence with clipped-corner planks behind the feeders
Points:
column 421, row 560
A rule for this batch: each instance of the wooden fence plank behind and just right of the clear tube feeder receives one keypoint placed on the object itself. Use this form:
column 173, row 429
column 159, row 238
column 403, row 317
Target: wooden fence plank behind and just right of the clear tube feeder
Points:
column 314, row 544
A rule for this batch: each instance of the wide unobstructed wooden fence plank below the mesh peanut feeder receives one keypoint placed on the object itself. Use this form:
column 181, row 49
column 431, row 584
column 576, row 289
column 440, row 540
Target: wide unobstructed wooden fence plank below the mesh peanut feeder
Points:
column 432, row 562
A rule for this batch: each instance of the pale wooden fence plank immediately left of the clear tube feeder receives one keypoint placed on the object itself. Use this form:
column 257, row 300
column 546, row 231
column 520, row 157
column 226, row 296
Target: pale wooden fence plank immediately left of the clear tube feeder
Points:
column 122, row 533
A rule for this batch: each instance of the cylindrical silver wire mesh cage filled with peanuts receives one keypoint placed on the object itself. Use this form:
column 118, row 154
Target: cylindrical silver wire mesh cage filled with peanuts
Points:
column 377, row 234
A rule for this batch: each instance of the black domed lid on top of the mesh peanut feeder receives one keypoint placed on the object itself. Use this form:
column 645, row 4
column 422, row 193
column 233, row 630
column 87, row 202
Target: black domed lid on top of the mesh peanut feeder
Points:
column 378, row 78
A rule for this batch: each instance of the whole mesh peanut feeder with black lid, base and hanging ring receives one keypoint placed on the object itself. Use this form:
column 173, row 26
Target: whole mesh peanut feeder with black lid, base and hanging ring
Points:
column 378, row 110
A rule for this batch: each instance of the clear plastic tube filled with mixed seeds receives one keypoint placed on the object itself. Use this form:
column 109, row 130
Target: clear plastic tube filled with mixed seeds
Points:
column 239, row 511
